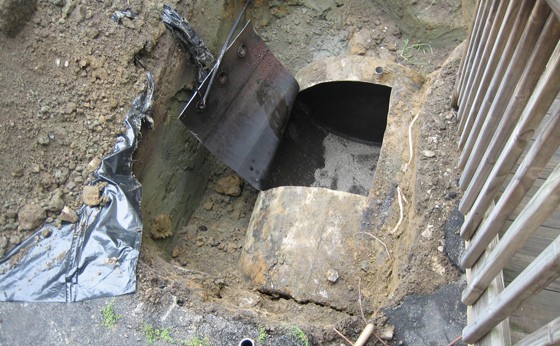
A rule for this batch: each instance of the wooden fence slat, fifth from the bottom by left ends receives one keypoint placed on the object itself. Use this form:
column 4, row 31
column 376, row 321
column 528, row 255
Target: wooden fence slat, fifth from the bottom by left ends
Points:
column 516, row 108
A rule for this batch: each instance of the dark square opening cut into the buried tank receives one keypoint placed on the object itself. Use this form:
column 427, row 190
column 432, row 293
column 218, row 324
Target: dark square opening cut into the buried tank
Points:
column 333, row 138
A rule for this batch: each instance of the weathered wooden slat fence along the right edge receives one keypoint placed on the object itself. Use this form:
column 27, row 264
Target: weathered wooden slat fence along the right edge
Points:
column 509, row 123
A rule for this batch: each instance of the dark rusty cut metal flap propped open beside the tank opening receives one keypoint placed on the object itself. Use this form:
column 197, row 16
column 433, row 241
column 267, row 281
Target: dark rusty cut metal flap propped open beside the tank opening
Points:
column 247, row 109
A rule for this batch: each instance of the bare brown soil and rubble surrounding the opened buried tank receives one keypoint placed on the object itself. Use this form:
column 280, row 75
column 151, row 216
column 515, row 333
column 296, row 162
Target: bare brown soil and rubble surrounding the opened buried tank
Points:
column 69, row 74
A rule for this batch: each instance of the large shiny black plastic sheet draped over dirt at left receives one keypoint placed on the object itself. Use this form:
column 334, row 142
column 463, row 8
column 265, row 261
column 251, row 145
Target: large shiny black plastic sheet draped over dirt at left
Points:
column 97, row 256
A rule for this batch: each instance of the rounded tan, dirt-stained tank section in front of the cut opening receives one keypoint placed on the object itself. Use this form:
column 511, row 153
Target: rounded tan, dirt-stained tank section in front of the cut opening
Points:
column 304, row 243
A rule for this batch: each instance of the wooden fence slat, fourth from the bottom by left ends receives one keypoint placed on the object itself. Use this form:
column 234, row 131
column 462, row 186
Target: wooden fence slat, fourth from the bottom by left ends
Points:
column 539, row 102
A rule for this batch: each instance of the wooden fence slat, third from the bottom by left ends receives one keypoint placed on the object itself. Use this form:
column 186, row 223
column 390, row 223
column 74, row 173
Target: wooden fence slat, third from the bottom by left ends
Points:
column 537, row 158
